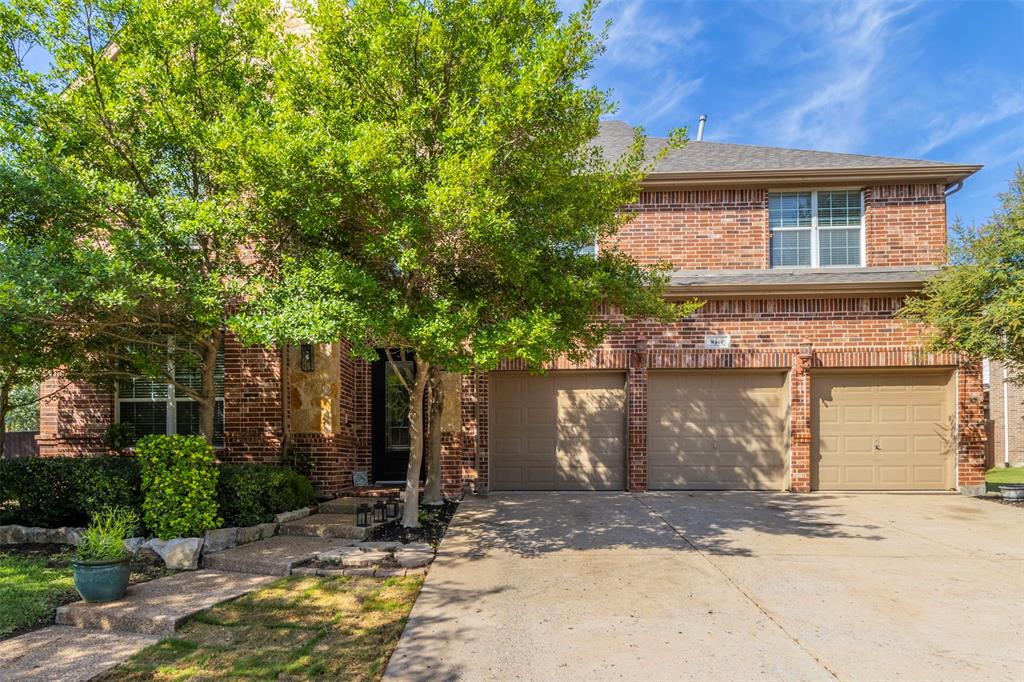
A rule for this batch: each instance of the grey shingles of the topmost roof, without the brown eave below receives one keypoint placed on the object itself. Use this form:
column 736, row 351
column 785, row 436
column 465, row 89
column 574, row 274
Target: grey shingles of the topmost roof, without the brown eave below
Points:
column 615, row 138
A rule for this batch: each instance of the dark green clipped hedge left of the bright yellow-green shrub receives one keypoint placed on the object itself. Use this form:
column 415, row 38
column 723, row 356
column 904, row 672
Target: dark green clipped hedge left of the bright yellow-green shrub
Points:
column 66, row 491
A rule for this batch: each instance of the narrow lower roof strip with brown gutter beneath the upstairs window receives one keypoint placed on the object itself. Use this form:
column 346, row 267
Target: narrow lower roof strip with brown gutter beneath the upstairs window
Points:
column 800, row 281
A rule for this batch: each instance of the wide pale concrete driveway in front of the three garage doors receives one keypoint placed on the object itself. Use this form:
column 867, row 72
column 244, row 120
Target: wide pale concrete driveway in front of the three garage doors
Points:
column 713, row 586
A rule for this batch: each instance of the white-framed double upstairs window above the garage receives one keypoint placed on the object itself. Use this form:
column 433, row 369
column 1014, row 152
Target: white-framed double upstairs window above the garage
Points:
column 817, row 229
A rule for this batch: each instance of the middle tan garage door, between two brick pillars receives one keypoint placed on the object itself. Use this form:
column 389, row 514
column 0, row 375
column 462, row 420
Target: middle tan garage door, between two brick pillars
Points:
column 717, row 431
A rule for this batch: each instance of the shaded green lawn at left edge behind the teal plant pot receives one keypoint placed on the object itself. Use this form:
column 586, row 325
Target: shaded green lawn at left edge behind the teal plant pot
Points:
column 36, row 579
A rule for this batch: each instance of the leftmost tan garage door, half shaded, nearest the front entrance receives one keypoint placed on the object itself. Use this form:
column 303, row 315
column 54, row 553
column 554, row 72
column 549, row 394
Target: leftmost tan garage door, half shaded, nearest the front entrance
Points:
column 564, row 432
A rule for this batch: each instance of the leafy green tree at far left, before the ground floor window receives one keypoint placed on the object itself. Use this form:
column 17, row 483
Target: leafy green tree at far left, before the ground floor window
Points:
column 141, row 124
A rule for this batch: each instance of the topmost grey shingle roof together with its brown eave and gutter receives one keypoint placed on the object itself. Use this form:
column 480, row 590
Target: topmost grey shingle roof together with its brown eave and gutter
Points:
column 699, row 163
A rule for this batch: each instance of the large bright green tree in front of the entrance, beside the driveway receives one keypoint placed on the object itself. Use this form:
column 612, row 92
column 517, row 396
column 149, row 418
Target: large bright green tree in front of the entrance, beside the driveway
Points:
column 432, row 166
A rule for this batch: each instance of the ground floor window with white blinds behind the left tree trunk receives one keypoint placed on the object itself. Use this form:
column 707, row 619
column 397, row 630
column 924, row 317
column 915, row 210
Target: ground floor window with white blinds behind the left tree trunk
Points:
column 154, row 408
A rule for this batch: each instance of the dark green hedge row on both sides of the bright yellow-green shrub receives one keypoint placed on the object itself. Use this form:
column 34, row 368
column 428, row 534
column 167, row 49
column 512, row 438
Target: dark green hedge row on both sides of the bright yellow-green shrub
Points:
column 65, row 491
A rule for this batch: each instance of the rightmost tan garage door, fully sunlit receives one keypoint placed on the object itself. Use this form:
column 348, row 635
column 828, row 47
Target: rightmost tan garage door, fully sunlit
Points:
column 882, row 431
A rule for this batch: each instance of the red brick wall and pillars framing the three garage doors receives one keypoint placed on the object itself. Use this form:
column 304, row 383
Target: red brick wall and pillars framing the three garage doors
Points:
column 769, row 333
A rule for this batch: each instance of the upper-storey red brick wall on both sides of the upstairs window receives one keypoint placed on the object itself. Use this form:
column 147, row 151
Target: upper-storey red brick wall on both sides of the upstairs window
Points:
column 729, row 229
